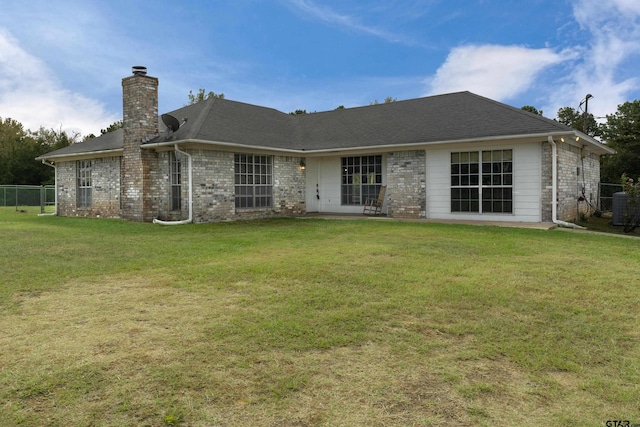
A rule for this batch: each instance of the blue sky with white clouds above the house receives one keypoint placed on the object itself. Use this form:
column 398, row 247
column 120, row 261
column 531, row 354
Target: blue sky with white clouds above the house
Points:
column 61, row 62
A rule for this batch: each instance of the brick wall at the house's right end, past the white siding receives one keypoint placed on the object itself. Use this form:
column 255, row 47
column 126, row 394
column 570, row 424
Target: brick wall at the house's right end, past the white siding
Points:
column 578, row 169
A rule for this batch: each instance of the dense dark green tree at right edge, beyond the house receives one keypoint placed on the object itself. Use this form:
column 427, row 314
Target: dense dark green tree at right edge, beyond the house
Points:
column 622, row 133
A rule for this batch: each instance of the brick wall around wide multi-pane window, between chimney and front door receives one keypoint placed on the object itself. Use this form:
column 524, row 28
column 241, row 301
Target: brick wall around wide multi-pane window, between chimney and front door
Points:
column 214, row 188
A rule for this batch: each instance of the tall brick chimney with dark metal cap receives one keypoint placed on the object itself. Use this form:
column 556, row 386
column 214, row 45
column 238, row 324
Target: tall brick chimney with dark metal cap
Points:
column 140, row 123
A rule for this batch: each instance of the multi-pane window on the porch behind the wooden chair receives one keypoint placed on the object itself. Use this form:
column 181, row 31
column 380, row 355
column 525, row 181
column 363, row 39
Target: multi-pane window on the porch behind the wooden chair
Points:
column 361, row 179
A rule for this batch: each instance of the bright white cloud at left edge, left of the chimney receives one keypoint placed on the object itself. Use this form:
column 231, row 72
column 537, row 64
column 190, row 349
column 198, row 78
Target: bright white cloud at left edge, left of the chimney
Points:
column 31, row 94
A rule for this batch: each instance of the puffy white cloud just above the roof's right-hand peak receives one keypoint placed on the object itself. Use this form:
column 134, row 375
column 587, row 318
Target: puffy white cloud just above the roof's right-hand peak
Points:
column 494, row 71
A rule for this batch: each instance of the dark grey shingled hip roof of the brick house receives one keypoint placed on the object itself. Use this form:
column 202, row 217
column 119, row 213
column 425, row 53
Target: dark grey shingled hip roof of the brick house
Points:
column 461, row 116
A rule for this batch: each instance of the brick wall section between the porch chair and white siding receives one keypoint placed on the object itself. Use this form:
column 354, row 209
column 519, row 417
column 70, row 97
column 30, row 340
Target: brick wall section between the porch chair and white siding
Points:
column 406, row 184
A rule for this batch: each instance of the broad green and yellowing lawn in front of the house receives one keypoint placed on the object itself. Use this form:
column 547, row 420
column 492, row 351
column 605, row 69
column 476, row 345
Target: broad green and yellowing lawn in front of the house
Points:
column 311, row 322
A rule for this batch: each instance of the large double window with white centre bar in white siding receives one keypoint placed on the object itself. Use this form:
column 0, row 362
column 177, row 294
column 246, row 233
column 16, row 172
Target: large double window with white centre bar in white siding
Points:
column 482, row 181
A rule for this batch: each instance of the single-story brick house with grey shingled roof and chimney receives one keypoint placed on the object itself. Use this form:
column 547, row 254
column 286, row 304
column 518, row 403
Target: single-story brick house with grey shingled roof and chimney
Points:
column 453, row 156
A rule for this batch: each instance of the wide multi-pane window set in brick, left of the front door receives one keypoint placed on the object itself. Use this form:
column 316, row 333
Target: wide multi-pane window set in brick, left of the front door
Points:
column 253, row 181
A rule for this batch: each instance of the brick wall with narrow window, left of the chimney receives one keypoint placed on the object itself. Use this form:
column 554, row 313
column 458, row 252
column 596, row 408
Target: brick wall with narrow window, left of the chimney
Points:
column 105, row 194
